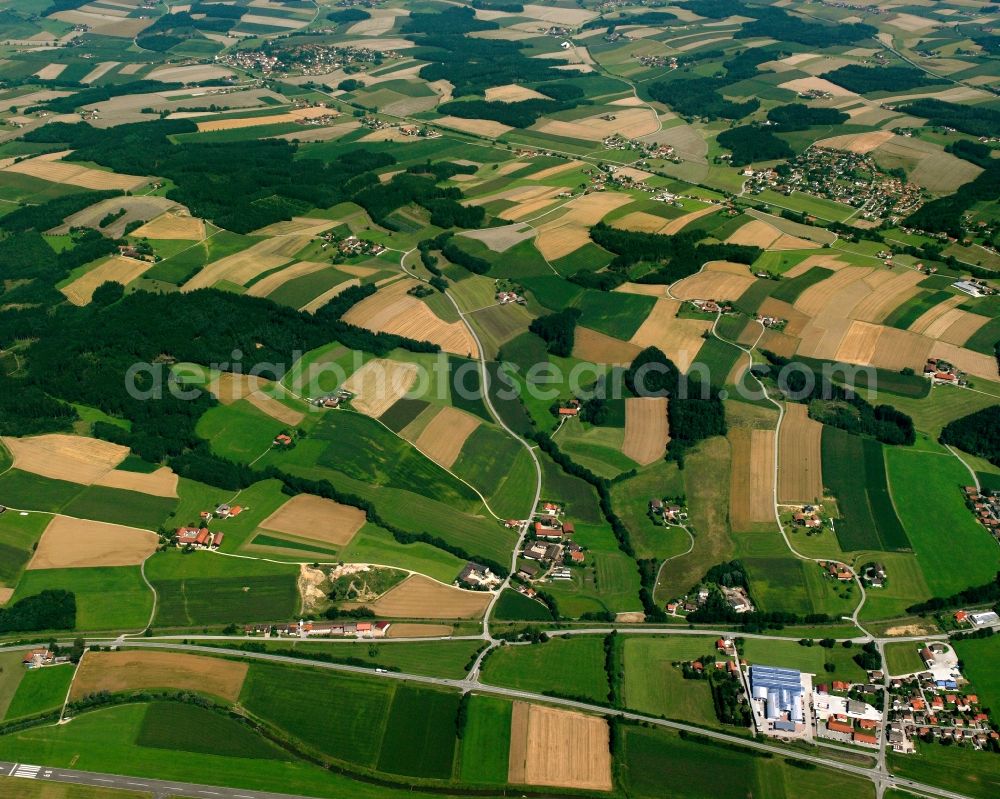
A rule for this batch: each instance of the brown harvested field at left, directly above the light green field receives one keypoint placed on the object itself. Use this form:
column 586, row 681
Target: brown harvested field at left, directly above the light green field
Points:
column 80, row 543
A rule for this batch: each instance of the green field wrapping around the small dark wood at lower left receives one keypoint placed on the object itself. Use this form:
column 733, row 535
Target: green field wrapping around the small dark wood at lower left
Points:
column 107, row 597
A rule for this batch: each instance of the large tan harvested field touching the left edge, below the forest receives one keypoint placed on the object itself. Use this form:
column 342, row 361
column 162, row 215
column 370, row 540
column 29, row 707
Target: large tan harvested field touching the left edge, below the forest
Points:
column 74, row 458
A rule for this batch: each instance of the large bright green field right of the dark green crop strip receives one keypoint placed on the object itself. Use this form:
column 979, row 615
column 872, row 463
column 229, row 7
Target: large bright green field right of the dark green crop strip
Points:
column 953, row 549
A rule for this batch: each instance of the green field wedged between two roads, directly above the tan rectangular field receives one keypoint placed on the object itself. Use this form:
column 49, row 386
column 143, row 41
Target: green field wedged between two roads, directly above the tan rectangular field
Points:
column 572, row 667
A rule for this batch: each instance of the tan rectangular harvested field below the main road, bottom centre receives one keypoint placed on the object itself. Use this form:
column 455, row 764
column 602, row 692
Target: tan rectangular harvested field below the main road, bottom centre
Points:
column 558, row 747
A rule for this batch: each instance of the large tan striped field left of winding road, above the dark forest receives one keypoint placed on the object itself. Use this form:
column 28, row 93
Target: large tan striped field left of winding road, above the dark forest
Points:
column 394, row 310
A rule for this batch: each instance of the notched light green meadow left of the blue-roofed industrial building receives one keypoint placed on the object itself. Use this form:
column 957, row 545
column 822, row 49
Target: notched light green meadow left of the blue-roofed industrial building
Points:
column 654, row 685
